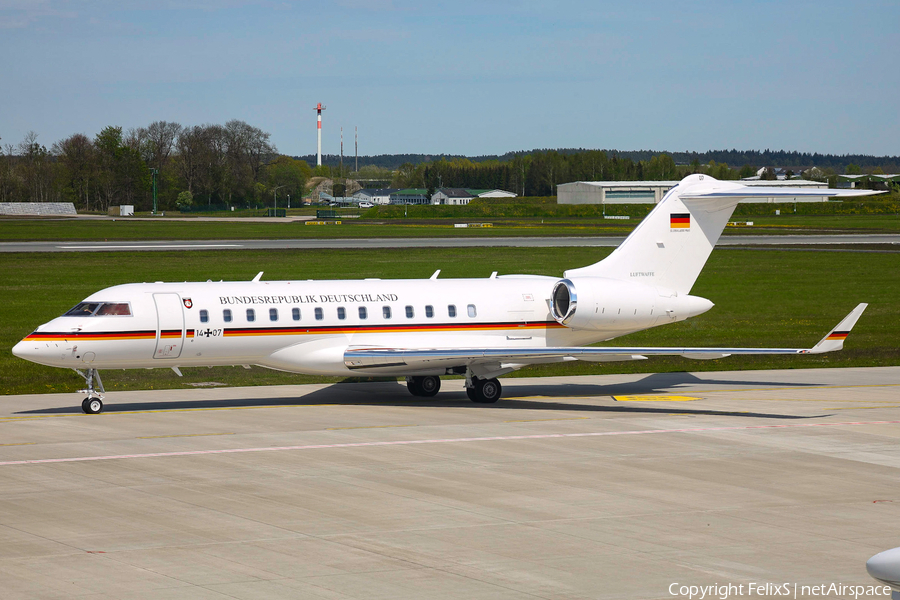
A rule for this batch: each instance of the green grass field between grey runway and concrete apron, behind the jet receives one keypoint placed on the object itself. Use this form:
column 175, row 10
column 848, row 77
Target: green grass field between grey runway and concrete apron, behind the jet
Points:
column 763, row 298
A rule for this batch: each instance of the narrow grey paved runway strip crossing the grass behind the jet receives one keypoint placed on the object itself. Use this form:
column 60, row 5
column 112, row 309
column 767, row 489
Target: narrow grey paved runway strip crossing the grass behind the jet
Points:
column 433, row 242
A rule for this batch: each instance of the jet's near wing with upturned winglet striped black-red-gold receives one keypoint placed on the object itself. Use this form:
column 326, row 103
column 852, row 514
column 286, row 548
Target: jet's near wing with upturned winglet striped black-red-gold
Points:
column 388, row 360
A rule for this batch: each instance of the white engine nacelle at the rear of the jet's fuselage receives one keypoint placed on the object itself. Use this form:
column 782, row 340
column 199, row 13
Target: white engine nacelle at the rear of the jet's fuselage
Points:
column 597, row 303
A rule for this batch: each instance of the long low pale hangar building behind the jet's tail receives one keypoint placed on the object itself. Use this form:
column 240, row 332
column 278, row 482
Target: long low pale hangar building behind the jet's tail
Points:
column 651, row 192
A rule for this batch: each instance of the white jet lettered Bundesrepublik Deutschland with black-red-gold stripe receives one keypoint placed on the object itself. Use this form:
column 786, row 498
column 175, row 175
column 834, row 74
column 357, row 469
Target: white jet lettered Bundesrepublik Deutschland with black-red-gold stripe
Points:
column 420, row 329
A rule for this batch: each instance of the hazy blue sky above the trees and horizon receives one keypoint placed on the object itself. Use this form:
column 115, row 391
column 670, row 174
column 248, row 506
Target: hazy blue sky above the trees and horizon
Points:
column 462, row 77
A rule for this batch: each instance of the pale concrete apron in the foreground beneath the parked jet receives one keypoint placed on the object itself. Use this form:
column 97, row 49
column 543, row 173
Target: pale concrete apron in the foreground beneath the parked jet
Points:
column 586, row 487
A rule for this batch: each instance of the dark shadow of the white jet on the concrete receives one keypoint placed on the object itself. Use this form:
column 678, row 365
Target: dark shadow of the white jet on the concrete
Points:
column 548, row 397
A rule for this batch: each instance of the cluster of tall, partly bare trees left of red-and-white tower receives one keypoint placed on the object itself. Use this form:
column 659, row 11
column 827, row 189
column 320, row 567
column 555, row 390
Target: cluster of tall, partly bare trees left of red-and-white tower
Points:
column 231, row 164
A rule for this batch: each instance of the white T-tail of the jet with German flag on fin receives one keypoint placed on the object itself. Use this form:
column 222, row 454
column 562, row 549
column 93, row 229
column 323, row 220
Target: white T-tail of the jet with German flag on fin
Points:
column 669, row 248
